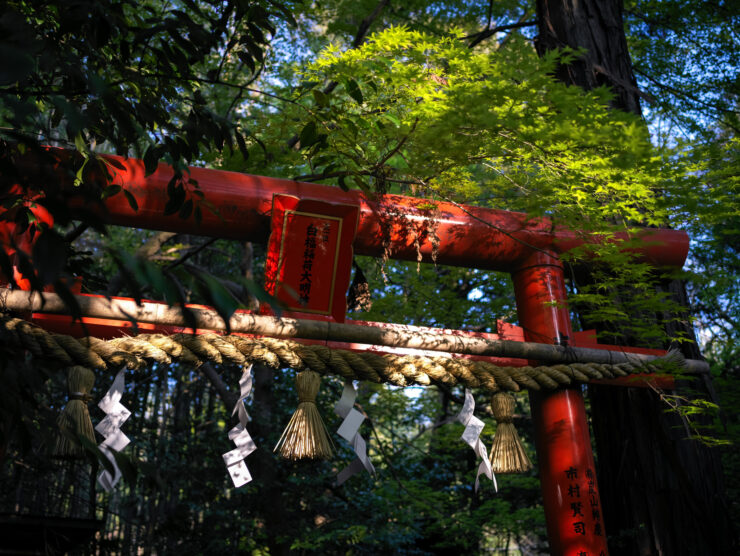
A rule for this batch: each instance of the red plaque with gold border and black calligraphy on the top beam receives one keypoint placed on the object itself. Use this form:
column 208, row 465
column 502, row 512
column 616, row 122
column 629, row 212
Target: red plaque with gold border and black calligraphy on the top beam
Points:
column 309, row 255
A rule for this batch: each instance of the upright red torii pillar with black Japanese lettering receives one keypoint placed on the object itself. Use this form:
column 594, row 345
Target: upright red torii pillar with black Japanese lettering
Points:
column 566, row 461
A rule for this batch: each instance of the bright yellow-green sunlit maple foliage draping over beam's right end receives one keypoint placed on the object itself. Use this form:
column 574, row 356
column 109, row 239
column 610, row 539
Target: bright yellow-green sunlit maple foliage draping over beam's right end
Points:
column 424, row 114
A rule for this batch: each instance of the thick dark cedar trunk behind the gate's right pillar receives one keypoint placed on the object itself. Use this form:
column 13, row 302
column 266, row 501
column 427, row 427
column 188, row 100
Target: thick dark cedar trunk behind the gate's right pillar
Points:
column 661, row 492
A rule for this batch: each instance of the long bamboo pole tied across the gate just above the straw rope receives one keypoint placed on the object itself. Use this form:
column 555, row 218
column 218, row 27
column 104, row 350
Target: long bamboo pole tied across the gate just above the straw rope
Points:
column 413, row 337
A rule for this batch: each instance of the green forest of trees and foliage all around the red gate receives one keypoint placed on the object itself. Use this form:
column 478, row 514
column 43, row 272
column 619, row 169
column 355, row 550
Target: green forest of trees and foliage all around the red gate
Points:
column 457, row 101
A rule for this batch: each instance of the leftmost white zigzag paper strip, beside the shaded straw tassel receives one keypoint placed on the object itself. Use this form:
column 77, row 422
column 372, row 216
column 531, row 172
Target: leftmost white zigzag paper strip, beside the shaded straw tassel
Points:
column 110, row 428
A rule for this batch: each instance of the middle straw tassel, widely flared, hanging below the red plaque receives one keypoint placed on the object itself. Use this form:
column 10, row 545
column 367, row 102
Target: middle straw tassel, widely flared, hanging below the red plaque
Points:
column 306, row 436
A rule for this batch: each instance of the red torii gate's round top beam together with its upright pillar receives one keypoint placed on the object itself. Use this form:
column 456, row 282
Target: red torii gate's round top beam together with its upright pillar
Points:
column 467, row 236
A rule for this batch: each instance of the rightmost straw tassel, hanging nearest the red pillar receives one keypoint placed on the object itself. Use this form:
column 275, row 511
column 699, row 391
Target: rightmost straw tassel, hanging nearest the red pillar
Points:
column 507, row 452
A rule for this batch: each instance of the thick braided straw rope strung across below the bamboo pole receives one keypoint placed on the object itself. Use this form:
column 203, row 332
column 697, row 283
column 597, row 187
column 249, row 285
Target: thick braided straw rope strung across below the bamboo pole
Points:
column 138, row 352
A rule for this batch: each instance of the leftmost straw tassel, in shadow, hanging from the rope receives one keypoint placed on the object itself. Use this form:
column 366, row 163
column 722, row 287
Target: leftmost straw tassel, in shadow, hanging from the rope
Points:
column 74, row 420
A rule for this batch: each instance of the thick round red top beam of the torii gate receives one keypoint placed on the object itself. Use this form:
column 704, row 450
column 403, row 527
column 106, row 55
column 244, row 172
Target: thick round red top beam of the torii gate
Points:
column 450, row 234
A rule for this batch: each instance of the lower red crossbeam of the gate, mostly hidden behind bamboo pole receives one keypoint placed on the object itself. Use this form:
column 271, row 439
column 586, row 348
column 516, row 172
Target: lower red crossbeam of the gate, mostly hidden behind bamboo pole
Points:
column 111, row 328
